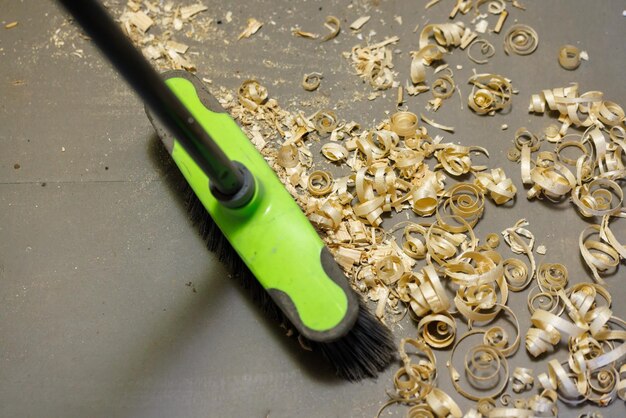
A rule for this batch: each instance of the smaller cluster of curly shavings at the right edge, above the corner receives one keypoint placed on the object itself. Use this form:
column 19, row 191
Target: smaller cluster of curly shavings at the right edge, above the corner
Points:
column 595, row 129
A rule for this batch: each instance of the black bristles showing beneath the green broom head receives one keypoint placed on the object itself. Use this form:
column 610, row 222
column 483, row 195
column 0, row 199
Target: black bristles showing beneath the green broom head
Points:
column 364, row 352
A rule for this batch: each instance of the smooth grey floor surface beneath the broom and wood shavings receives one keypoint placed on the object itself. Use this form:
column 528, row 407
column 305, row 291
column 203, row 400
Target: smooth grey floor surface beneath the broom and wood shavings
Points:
column 109, row 303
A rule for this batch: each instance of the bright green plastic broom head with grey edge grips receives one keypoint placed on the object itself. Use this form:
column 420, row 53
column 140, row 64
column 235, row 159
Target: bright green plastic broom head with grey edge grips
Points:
column 270, row 233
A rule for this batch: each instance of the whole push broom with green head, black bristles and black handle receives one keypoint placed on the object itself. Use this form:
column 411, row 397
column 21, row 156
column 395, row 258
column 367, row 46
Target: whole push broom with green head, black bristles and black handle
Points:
column 245, row 214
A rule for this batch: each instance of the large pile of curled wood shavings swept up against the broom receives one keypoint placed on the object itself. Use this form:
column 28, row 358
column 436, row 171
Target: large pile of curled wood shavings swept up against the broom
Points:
column 389, row 173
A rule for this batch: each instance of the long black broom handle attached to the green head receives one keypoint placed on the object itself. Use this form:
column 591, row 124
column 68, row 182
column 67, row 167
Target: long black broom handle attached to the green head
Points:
column 108, row 36
